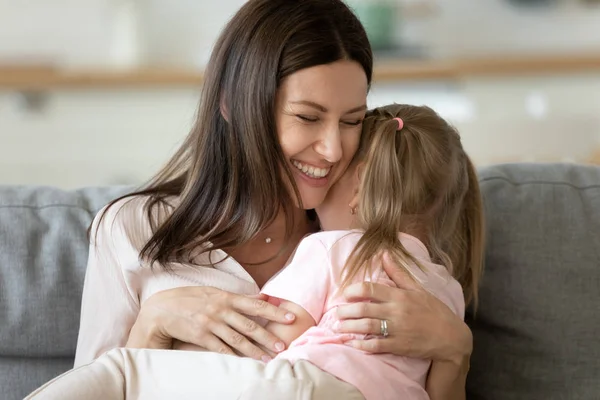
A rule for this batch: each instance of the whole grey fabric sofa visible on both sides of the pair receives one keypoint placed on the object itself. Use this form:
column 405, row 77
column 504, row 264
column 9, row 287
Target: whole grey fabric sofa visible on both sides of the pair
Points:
column 536, row 331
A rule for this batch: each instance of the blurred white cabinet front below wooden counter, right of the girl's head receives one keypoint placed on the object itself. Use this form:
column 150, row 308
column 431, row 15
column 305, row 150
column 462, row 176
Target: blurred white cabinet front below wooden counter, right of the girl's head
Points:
column 514, row 119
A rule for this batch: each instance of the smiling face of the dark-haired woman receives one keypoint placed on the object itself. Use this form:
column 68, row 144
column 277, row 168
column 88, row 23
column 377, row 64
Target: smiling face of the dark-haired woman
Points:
column 319, row 125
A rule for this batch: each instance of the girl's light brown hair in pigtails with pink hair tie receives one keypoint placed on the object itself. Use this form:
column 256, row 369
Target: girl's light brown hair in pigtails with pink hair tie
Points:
column 418, row 179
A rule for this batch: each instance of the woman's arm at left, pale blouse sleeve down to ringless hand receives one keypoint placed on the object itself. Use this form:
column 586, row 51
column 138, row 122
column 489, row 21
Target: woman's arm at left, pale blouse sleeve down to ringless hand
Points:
column 111, row 315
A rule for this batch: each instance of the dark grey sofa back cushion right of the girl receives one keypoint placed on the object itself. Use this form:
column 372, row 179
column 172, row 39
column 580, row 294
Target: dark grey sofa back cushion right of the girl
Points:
column 536, row 330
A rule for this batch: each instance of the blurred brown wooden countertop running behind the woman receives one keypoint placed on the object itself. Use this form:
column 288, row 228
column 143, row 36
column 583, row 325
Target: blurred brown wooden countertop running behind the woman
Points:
column 48, row 78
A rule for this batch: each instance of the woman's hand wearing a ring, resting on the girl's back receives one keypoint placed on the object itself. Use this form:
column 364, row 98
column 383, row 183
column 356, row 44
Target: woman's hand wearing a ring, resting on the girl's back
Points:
column 419, row 324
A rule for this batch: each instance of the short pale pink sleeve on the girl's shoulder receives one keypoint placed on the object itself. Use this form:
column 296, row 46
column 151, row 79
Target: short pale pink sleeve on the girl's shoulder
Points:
column 306, row 280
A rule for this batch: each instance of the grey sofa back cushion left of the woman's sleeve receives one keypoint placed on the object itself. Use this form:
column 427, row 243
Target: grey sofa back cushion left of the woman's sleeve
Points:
column 43, row 254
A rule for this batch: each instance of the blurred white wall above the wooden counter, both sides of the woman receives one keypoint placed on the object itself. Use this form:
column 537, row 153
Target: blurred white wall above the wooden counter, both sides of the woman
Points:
column 100, row 32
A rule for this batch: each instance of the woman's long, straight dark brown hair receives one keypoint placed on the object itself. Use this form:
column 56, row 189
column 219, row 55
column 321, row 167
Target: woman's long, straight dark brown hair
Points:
column 227, row 174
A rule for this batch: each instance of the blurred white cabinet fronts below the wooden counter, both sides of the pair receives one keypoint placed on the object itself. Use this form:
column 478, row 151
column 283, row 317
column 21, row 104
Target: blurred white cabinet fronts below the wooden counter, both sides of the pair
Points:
column 83, row 138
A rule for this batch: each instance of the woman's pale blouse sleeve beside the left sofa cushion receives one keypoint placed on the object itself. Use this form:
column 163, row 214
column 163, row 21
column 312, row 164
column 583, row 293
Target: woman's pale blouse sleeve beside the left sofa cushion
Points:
column 109, row 308
